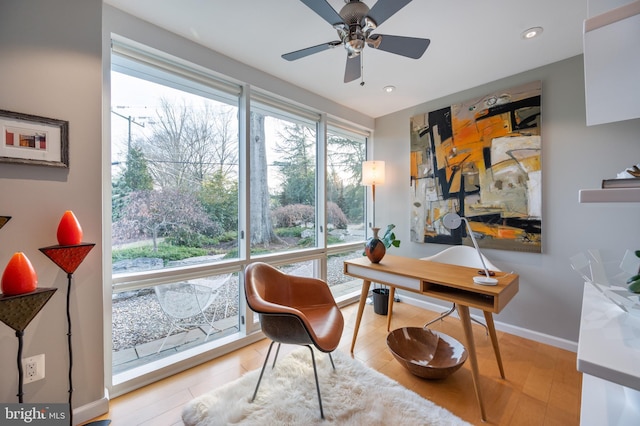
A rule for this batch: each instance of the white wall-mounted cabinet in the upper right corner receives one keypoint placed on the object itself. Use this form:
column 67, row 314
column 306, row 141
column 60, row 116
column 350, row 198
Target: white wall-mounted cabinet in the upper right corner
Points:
column 611, row 64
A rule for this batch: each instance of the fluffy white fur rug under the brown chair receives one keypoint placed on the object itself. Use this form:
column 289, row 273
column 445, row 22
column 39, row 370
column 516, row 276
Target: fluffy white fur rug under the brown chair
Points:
column 353, row 394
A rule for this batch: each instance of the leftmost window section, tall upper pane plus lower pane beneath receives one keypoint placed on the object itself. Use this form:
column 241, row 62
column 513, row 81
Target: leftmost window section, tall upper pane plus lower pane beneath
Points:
column 174, row 212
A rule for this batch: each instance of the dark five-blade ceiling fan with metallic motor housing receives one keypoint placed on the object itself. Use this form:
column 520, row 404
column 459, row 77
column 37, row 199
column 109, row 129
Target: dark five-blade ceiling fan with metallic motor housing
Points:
column 354, row 24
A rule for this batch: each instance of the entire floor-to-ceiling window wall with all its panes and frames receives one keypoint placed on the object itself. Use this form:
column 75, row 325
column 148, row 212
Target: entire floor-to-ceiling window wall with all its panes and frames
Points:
column 185, row 221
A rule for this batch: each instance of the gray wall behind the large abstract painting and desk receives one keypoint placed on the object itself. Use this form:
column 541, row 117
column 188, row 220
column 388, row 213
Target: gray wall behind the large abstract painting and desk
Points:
column 574, row 157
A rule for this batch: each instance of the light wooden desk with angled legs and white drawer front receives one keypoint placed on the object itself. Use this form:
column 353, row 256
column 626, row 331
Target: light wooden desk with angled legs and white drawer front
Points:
column 443, row 281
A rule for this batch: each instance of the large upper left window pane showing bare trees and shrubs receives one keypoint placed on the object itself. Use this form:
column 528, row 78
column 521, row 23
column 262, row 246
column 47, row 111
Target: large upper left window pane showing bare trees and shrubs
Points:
column 174, row 171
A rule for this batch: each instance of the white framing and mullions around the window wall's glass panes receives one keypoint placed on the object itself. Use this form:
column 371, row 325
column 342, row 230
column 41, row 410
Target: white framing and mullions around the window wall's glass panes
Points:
column 220, row 89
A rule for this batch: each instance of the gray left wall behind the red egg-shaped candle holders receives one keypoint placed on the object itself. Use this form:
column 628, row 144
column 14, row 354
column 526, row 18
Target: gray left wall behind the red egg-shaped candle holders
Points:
column 50, row 65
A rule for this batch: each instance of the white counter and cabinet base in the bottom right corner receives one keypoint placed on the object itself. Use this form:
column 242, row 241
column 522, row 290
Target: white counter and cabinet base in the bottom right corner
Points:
column 609, row 358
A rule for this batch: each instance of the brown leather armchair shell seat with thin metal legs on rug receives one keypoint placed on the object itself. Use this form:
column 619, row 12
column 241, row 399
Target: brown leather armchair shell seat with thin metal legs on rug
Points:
column 294, row 310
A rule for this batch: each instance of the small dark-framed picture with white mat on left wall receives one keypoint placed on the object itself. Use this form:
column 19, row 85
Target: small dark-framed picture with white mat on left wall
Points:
column 30, row 139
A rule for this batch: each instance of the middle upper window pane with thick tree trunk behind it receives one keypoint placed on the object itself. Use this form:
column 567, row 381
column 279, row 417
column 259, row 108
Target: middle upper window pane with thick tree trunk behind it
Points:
column 283, row 179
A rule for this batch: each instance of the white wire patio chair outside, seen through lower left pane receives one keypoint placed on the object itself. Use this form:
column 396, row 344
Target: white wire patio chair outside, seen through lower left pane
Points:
column 185, row 303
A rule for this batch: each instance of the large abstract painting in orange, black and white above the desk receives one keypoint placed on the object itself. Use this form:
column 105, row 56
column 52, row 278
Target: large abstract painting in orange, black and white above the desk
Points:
column 481, row 160
